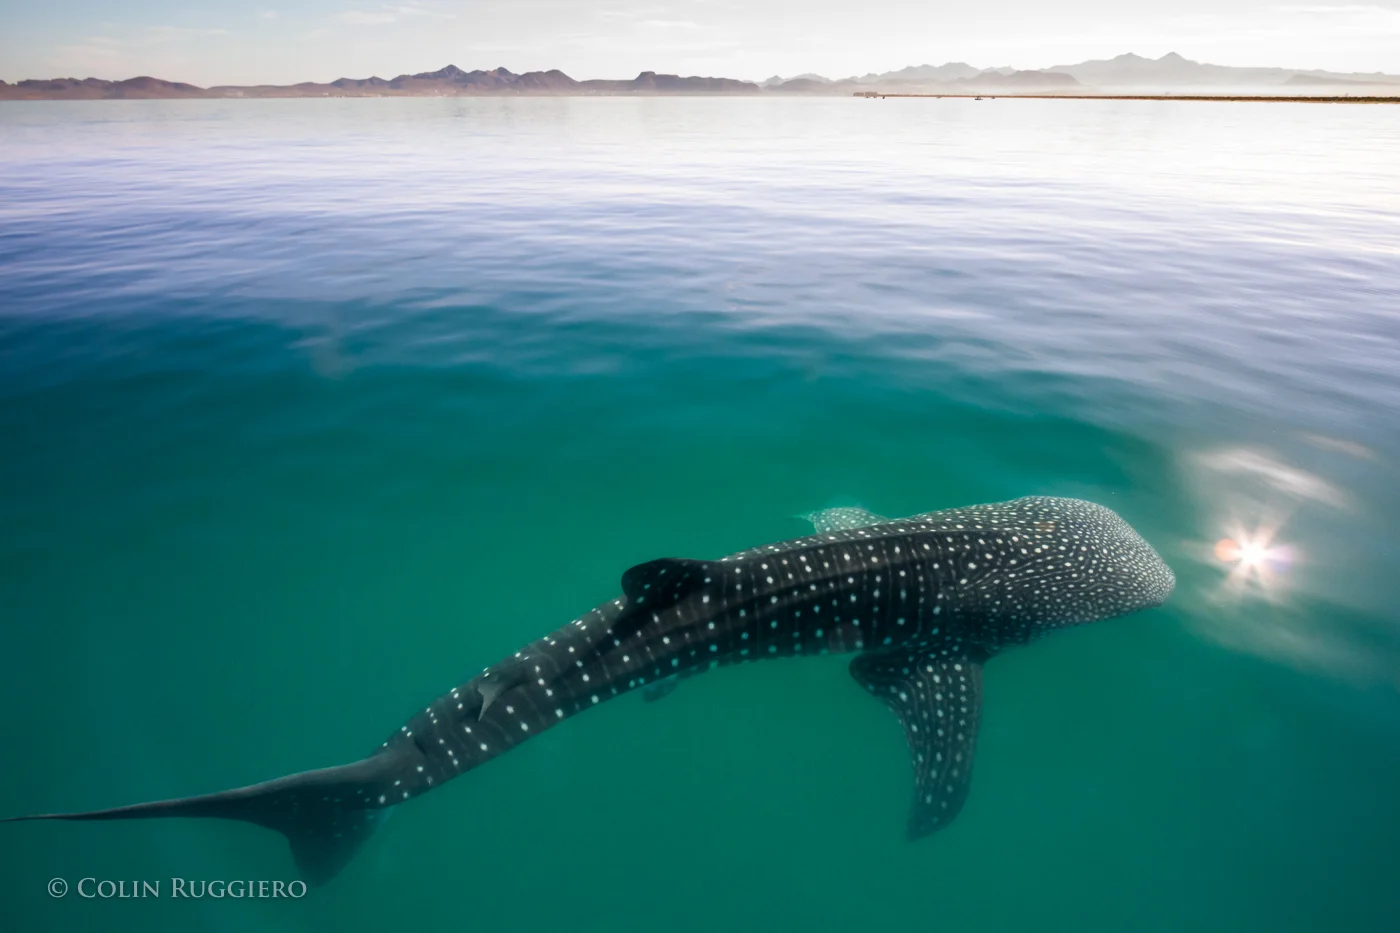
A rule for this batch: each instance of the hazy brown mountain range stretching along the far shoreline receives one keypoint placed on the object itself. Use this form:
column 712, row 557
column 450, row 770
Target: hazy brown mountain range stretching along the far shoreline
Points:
column 1123, row 74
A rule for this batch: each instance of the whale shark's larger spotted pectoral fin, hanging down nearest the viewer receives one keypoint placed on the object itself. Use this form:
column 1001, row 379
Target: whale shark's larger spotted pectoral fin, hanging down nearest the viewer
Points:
column 939, row 703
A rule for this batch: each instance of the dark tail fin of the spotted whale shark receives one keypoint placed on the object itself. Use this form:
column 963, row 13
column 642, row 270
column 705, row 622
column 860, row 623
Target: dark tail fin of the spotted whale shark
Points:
column 325, row 815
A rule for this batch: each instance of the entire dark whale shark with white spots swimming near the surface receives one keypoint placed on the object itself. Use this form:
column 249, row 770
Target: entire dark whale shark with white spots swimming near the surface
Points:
column 923, row 603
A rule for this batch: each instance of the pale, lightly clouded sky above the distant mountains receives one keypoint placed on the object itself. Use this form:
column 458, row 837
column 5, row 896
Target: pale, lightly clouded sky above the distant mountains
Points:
column 286, row 41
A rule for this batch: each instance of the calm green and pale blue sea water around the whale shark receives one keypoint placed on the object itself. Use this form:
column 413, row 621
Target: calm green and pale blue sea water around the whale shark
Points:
column 311, row 410
